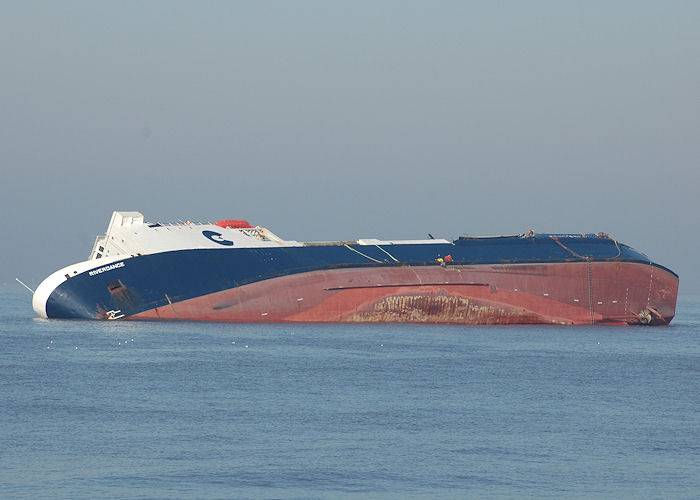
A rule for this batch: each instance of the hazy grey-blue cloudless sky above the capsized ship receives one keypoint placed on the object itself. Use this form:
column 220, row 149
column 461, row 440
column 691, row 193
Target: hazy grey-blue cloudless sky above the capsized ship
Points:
column 360, row 119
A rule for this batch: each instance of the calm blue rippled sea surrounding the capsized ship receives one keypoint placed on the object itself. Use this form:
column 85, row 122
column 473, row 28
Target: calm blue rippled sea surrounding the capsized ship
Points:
column 204, row 410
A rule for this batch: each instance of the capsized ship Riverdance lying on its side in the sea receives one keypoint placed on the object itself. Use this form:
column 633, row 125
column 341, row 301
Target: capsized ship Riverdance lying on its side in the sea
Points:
column 233, row 271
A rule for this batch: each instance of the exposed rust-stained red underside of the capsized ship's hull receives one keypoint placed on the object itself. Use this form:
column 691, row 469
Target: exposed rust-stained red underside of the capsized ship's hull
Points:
column 567, row 293
